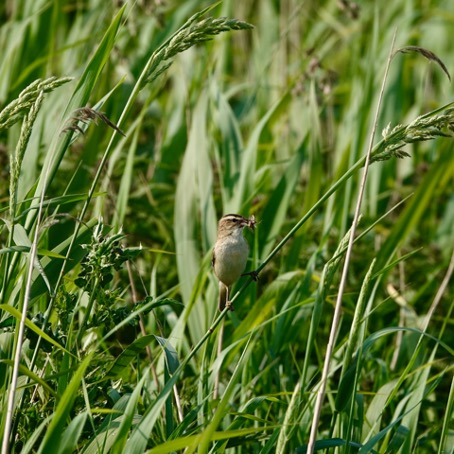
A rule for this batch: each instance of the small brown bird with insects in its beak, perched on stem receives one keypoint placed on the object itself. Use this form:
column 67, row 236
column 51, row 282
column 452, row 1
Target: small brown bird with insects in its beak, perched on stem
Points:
column 230, row 254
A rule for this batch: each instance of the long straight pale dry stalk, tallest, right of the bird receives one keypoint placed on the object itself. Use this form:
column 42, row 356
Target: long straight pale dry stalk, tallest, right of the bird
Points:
column 343, row 281
